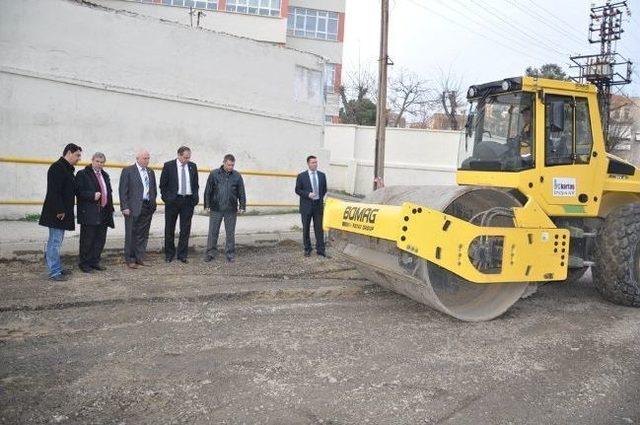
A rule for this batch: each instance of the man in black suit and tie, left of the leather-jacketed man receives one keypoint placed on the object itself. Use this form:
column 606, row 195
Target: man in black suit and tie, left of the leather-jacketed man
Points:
column 179, row 191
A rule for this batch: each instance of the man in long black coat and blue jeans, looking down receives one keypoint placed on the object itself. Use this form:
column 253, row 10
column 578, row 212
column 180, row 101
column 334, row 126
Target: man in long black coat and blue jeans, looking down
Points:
column 57, row 210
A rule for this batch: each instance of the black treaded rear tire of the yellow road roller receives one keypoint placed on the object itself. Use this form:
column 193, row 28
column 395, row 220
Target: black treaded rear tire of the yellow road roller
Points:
column 616, row 272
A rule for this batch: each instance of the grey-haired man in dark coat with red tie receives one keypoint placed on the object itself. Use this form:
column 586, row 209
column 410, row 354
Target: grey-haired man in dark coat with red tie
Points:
column 95, row 212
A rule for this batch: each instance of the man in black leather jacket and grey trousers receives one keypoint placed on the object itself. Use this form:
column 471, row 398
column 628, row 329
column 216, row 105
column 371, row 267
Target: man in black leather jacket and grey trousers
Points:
column 224, row 195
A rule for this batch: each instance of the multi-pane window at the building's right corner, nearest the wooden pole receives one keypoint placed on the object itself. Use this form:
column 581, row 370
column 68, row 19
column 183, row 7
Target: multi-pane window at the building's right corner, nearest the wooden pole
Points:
column 312, row 23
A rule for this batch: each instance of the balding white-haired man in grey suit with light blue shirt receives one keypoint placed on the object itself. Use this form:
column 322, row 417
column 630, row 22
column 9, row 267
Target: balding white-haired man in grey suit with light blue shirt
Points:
column 138, row 203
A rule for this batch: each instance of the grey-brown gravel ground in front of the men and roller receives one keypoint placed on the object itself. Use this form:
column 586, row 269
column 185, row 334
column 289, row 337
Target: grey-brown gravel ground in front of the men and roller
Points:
column 278, row 338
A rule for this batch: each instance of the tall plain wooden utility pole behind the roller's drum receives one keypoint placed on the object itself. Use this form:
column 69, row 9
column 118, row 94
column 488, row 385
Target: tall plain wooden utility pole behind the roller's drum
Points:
column 381, row 107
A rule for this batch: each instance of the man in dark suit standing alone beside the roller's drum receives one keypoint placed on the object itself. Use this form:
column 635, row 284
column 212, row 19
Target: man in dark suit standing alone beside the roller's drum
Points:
column 311, row 187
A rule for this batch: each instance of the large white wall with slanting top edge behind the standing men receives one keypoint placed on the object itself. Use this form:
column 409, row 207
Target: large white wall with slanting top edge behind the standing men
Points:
column 116, row 81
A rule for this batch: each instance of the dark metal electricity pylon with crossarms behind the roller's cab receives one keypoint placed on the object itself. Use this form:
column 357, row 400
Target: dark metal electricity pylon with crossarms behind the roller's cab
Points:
column 601, row 69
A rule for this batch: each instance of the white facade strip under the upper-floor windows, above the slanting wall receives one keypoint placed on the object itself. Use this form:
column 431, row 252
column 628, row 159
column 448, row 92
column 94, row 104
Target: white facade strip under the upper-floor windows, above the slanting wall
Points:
column 264, row 28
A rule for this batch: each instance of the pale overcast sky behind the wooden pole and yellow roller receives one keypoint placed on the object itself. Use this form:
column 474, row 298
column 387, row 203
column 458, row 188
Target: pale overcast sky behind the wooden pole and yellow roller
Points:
column 479, row 40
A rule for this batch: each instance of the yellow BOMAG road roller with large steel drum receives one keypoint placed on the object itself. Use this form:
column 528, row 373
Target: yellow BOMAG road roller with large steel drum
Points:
column 537, row 200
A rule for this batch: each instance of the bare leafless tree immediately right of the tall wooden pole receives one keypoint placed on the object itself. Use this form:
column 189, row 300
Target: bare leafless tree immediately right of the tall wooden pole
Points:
column 407, row 94
